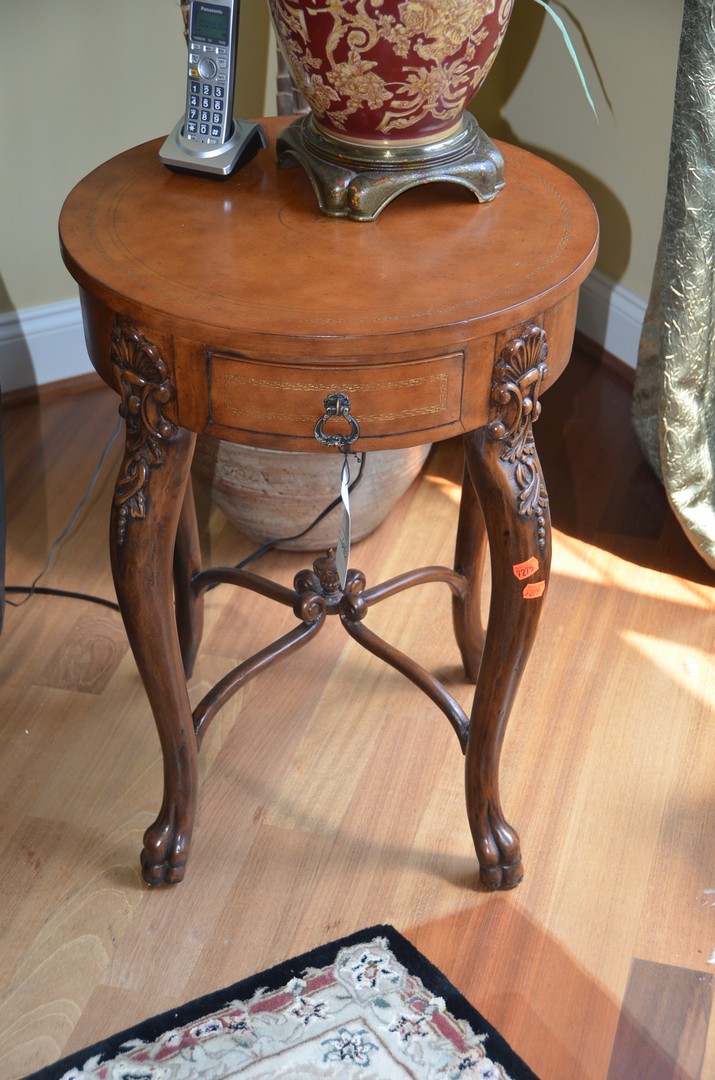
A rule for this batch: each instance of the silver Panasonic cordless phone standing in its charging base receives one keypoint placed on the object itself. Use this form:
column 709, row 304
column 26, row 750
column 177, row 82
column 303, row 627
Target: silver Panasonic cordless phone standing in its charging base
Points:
column 209, row 140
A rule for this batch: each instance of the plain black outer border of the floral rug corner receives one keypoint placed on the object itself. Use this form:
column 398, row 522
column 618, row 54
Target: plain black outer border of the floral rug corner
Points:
column 277, row 977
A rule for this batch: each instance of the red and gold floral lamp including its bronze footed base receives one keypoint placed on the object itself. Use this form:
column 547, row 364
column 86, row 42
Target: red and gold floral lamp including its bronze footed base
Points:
column 388, row 84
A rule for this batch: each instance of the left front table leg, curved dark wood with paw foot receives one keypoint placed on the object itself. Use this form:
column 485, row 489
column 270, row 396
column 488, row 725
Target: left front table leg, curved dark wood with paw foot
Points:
column 149, row 499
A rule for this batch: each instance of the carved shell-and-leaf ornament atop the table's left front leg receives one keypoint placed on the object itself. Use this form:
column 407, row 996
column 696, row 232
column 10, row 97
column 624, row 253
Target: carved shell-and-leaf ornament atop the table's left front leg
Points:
column 144, row 386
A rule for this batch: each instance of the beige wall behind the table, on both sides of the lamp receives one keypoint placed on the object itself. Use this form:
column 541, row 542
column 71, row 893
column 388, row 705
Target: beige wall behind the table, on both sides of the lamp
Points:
column 89, row 78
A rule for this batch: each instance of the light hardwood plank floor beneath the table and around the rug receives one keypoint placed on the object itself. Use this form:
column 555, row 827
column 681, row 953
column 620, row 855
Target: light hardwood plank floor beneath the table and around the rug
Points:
column 332, row 794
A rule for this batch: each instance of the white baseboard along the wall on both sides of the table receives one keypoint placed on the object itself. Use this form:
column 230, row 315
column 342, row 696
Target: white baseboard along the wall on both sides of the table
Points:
column 47, row 344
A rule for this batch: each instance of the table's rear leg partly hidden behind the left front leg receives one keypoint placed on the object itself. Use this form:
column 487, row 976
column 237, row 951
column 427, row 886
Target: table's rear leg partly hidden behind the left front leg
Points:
column 187, row 564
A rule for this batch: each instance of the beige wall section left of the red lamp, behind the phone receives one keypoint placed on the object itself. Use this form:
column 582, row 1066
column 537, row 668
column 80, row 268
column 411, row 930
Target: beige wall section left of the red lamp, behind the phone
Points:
column 88, row 79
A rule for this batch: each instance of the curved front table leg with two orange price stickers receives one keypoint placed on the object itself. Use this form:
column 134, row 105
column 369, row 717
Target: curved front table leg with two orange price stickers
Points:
column 506, row 472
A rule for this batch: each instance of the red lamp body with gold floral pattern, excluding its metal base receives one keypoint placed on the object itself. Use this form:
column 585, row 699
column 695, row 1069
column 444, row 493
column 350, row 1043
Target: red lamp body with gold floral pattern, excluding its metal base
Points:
column 381, row 71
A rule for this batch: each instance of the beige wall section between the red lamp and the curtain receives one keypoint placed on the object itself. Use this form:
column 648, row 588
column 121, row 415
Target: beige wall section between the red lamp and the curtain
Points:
column 533, row 98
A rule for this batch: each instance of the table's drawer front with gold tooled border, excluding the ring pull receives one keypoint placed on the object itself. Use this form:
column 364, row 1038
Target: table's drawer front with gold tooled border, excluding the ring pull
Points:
column 415, row 396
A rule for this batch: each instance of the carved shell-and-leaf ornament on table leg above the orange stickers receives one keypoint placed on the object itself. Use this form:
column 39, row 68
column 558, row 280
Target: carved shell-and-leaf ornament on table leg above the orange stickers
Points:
column 519, row 374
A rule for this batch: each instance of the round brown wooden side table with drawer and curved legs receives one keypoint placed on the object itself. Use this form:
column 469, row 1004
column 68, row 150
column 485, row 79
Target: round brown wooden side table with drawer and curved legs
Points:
column 238, row 310
